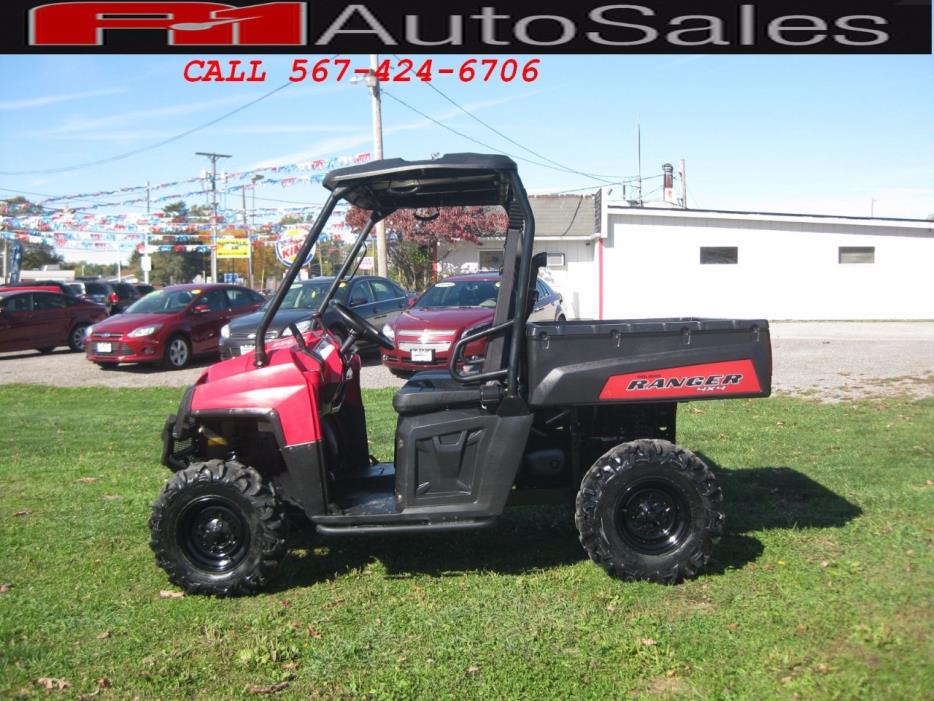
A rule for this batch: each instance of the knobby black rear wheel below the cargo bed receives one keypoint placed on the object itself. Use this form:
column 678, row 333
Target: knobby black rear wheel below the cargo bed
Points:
column 649, row 510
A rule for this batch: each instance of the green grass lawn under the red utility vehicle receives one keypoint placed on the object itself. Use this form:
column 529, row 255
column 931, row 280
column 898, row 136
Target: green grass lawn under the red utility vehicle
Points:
column 821, row 589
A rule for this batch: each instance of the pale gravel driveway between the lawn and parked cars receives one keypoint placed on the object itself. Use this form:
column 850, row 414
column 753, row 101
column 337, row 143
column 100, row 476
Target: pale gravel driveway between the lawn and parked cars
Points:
column 826, row 360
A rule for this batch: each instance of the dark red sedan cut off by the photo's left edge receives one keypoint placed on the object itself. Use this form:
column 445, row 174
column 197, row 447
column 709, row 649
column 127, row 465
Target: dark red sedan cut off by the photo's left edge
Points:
column 44, row 320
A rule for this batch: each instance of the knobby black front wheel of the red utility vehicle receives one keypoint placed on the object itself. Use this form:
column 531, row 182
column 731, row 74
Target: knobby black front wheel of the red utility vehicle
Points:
column 218, row 528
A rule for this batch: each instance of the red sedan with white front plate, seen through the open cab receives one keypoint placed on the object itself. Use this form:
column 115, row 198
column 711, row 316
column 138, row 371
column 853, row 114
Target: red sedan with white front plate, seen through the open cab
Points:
column 425, row 333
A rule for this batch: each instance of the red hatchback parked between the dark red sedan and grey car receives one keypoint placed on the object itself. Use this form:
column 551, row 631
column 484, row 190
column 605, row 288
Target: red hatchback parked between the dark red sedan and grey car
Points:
column 170, row 326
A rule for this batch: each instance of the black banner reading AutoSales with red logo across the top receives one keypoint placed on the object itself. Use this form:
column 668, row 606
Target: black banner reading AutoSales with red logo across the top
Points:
column 428, row 26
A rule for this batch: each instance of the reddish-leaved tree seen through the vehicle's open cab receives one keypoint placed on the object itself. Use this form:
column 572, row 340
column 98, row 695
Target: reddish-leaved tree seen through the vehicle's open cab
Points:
column 413, row 240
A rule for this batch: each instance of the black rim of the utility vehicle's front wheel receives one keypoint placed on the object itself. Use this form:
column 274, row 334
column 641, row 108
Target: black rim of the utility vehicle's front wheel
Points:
column 213, row 533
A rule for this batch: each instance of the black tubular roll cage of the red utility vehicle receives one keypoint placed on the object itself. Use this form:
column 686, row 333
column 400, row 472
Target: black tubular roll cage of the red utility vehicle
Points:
column 461, row 179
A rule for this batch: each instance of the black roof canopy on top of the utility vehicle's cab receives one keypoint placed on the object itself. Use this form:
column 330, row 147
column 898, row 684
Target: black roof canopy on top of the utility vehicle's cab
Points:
column 451, row 180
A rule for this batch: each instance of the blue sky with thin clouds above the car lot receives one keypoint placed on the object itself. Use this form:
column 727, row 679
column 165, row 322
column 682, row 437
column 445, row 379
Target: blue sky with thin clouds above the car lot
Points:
column 795, row 133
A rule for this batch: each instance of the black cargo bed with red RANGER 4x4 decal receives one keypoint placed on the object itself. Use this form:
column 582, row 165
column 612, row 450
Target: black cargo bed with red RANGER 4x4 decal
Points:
column 596, row 362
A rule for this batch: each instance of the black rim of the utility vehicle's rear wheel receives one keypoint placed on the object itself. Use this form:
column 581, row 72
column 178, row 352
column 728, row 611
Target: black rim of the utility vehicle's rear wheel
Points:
column 652, row 516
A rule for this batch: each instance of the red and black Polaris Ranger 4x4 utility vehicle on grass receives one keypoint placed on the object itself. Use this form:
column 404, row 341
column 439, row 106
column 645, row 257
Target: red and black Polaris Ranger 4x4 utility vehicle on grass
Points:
column 558, row 412
